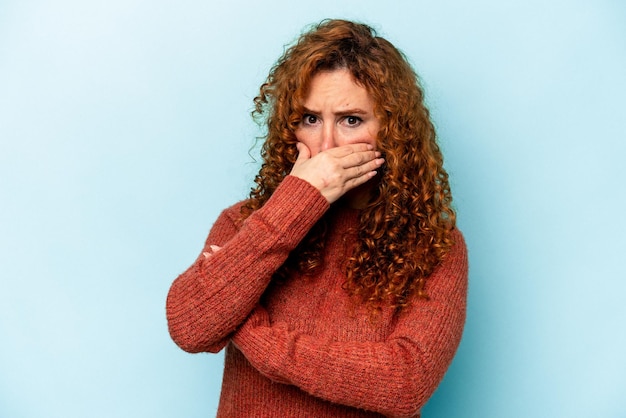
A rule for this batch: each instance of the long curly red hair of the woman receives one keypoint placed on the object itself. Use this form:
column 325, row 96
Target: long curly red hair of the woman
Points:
column 405, row 230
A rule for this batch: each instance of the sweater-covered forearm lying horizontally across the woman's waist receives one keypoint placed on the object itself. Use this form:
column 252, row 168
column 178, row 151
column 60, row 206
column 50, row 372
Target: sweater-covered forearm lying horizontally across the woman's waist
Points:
column 394, row 378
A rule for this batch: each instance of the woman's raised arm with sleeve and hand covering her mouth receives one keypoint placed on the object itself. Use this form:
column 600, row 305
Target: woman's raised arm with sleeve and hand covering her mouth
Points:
column 214, row 296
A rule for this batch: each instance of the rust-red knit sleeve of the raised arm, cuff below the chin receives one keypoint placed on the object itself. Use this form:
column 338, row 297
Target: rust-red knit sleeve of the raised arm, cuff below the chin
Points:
column 213, row 296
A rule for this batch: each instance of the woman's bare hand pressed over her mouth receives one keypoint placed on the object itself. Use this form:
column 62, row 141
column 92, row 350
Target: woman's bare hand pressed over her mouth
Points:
column 335, row 171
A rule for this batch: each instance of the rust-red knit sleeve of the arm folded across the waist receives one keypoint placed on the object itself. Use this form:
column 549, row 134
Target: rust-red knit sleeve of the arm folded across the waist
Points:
column 394, row 377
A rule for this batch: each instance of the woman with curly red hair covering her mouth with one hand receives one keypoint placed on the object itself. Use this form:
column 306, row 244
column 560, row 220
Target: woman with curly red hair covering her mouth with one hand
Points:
column 339, row 287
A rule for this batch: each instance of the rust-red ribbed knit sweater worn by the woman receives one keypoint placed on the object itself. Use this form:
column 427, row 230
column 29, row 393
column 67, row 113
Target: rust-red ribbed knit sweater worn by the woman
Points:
column 302, row 348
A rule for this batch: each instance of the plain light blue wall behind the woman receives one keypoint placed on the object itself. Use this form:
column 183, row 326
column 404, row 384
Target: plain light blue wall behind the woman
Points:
column 125, row 129
